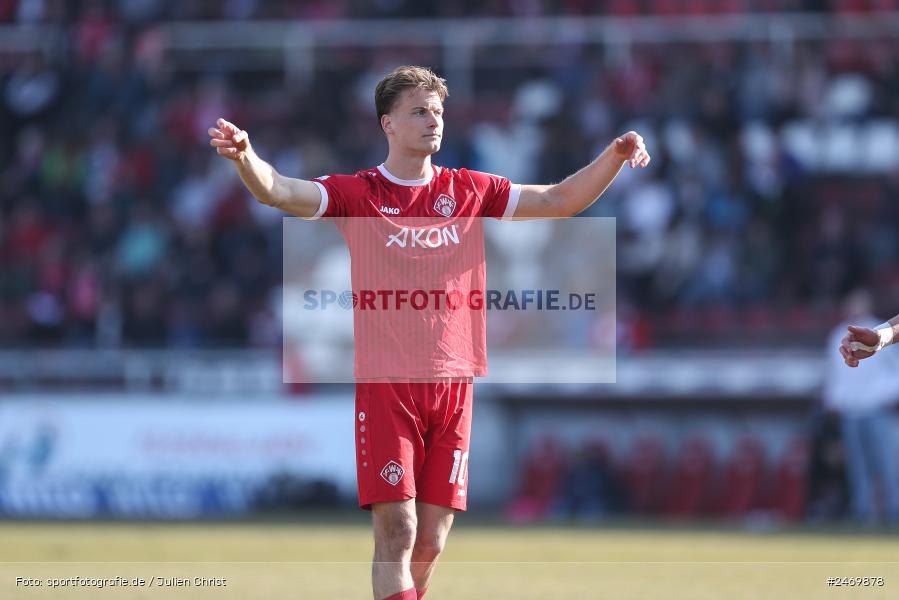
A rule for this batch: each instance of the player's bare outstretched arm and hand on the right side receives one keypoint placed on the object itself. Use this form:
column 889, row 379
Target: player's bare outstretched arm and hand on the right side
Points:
column 582, row 189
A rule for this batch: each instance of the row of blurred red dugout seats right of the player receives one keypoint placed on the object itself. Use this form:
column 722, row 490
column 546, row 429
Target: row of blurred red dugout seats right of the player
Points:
column 592, row 480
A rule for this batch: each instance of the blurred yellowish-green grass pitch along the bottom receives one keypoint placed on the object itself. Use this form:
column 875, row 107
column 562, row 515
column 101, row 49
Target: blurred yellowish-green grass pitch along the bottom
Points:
column 331, row 560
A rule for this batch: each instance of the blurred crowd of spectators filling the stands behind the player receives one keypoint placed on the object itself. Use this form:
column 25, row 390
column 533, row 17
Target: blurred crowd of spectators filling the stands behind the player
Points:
column 771, row 192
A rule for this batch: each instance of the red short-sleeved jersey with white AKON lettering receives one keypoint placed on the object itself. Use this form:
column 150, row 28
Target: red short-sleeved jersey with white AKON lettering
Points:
column 418, row 267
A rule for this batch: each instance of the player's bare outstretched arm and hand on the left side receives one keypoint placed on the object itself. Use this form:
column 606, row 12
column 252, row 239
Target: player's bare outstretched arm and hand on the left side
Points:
column 295, row 196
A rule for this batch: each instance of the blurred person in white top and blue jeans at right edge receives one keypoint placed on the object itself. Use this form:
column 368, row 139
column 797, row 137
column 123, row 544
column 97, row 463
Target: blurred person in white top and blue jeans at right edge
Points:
column 864, row 399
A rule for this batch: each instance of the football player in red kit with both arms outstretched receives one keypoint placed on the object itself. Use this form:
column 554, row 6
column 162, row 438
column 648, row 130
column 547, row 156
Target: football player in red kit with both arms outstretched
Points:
column 413, row 424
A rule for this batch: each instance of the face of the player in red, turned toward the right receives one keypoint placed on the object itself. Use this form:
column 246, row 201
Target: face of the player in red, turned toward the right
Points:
column 416, row 122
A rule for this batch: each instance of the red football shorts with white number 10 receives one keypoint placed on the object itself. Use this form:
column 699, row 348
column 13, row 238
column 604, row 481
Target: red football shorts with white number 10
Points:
column 412, row 441
